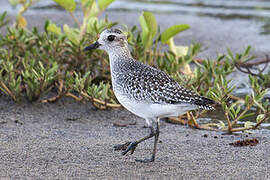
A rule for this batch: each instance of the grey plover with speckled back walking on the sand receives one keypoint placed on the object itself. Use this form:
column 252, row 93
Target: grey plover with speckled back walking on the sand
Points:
column 144, row 90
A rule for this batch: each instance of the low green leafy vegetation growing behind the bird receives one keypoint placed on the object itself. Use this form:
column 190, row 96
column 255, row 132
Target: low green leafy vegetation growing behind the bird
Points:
column 45, row 66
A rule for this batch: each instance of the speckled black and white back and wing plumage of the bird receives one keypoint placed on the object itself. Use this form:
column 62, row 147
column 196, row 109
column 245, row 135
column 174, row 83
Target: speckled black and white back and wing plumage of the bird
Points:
column 143, row 83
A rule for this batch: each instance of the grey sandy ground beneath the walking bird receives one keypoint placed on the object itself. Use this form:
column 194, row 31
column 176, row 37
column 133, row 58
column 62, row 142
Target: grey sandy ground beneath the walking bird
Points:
column 69, row 139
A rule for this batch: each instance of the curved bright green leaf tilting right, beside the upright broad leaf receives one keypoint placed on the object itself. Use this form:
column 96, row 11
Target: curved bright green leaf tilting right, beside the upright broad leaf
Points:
column 172, row 31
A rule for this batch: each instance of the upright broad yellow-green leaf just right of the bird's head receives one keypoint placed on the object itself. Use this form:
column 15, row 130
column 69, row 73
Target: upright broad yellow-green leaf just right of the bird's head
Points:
column 149, row 28
